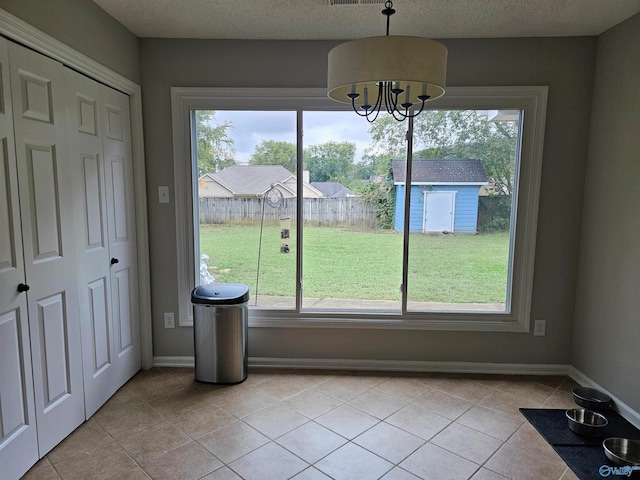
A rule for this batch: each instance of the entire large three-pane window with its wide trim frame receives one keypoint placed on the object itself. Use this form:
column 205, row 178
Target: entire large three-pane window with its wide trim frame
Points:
column 320, row 213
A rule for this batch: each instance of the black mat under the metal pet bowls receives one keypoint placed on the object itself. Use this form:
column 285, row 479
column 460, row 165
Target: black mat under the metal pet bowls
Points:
column 584, row 455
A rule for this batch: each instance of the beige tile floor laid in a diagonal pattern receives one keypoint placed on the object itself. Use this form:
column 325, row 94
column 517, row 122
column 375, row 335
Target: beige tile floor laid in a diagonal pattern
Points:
column 315, row 425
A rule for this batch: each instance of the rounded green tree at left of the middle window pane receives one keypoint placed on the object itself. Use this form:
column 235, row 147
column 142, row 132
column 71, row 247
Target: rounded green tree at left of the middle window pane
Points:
column 330, row 161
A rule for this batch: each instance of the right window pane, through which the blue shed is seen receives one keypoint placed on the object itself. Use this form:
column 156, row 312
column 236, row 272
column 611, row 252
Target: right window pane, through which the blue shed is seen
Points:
column 464, row 175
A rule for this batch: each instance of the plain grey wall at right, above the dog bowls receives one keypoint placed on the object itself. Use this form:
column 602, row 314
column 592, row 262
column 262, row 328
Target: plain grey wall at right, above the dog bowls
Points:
column 606, row 336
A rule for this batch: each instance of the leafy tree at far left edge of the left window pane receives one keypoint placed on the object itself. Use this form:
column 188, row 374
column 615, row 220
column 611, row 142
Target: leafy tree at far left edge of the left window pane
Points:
column 215, row 148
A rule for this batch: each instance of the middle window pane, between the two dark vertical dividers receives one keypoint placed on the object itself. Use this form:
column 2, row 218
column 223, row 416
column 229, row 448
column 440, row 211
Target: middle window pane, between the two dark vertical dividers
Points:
column 352, row 257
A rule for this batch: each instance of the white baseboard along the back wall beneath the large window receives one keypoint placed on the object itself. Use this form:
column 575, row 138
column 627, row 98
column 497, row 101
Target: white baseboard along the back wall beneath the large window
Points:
column 384, row 365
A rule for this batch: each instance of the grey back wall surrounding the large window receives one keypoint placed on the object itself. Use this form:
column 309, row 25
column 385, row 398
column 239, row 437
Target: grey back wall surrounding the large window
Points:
column 566, row 65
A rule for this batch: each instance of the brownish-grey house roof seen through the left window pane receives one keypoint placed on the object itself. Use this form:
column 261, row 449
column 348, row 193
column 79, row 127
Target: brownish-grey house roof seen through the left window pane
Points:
column 251, row 179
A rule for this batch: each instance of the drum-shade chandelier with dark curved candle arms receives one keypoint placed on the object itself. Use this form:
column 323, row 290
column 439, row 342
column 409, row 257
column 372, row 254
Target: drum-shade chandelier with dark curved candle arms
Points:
column 393, row 73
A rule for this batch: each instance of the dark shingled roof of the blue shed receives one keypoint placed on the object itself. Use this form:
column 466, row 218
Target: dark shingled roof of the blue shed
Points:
column 443, row 171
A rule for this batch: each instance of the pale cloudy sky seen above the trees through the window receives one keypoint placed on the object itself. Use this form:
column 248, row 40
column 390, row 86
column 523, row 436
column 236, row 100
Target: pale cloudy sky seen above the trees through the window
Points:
column 251, row 127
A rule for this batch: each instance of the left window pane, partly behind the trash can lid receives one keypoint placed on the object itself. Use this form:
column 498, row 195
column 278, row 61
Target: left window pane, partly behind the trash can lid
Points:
column 246, row 162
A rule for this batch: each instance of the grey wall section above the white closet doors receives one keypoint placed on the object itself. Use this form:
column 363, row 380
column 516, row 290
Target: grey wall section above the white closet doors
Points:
column 84, row 26
